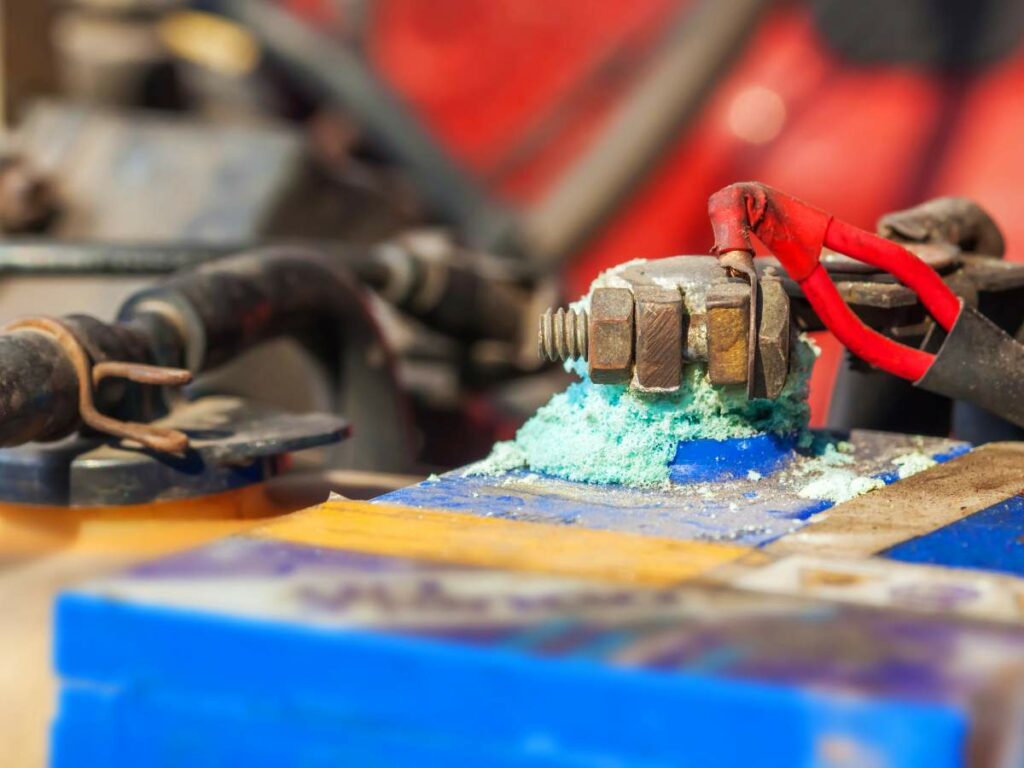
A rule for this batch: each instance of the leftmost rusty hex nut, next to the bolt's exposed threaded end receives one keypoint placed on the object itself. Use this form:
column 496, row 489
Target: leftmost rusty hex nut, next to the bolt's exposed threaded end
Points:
column 611, row 352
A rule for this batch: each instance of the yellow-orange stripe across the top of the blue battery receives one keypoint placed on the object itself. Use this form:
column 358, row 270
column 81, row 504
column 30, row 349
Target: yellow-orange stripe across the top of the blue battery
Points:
column 507, row 545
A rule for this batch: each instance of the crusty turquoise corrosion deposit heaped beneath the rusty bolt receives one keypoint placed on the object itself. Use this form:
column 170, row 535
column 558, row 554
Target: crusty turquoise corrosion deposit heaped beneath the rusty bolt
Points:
column 612, row 435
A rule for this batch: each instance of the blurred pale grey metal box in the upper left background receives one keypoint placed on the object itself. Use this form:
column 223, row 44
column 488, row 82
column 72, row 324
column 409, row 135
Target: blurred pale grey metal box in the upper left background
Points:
column 144, row 178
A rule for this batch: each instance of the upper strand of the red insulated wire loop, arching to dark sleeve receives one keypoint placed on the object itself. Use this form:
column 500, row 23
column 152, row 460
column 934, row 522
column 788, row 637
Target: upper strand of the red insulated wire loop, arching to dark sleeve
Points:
column 909, row 270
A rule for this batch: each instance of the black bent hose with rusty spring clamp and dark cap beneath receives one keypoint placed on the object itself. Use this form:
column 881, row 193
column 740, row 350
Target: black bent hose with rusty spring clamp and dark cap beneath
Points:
column 81, row 376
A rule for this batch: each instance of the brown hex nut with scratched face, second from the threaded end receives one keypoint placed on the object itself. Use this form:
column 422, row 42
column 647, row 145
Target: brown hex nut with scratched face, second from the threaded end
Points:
column 659, row 338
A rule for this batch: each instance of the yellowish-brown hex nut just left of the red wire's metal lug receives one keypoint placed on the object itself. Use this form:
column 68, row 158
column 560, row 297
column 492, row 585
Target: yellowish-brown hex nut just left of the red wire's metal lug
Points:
column 729, row 317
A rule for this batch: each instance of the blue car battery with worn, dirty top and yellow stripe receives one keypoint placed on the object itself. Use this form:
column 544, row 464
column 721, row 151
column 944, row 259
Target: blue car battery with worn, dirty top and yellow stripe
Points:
column 729, row 618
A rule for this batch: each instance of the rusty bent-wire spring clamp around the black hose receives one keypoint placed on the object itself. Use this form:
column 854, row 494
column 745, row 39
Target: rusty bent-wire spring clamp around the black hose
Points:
column 90, row 376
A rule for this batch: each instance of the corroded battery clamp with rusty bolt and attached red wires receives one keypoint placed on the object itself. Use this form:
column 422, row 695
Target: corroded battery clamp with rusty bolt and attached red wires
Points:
column 909, row 310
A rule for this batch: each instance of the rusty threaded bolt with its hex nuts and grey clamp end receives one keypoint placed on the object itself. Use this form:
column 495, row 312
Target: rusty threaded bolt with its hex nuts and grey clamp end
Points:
column 649, row 321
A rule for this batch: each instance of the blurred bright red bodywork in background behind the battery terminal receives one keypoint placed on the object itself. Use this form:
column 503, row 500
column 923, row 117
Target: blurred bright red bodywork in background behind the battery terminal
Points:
column 517, row 89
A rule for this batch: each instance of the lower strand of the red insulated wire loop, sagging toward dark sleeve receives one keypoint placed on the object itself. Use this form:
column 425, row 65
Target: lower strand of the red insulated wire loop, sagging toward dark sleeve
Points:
column 868, row 345
